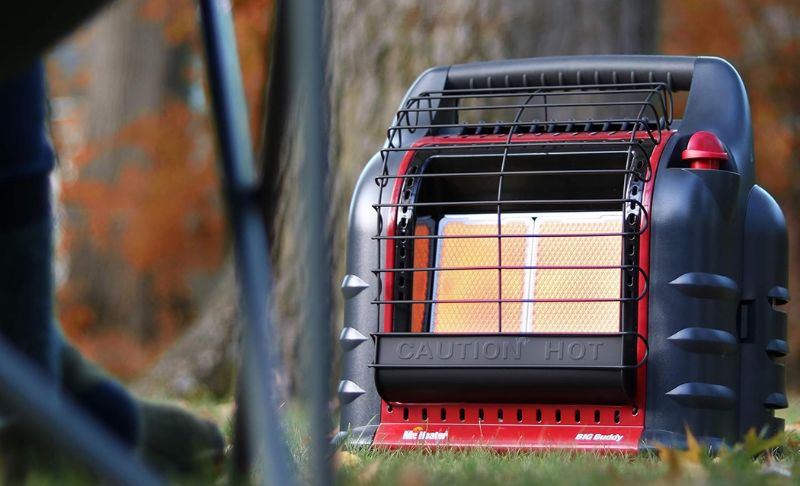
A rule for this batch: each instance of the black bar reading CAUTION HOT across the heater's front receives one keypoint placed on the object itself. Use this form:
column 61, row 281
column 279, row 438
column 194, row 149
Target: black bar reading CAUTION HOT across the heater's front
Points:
column 428, row 368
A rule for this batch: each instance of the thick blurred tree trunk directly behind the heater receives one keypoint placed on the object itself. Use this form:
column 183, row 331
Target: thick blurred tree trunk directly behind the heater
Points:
column 376, row 50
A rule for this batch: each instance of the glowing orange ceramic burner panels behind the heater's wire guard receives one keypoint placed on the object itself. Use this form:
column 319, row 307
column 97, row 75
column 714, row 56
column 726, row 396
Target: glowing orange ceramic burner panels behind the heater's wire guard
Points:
column 555, row 277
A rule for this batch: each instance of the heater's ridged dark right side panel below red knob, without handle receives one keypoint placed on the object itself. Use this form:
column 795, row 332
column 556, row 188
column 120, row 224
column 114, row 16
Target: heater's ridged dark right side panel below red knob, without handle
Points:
column 695, row 282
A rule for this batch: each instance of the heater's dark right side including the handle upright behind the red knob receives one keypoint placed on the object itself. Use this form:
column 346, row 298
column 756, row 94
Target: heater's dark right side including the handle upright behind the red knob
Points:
column 696, row 269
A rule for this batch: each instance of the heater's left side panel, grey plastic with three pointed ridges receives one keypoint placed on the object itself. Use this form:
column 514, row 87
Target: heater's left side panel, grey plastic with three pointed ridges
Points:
column 360, row 412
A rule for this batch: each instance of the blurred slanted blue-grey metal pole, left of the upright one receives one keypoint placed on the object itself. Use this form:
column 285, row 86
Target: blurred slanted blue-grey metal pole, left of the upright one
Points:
column 257, row 388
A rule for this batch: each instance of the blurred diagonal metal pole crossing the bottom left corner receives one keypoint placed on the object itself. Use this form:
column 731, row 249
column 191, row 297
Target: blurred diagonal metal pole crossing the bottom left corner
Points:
column 34, row 398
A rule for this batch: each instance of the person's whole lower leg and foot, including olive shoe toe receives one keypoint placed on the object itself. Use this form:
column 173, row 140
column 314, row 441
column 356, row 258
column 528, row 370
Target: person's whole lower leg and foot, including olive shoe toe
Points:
column 168, row 437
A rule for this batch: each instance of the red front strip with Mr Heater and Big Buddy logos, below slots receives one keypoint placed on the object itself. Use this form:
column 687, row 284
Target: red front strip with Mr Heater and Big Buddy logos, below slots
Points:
column 509, row 437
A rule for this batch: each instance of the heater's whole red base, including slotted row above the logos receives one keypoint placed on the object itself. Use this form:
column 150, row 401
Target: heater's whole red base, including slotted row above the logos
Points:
column 510, row 427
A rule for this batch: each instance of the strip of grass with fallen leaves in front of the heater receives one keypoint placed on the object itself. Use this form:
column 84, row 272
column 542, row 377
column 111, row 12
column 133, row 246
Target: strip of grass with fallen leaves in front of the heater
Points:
column 780, row 466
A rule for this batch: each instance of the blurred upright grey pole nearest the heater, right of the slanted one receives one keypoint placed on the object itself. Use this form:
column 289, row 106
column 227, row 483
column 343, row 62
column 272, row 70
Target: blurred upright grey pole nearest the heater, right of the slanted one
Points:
column 307, row 77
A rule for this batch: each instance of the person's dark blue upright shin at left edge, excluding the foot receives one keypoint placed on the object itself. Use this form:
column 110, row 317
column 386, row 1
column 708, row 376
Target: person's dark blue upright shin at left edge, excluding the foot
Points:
column 26, row 228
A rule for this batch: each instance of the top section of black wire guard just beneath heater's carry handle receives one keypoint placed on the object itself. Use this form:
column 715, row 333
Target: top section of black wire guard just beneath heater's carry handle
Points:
column 618, row 107
